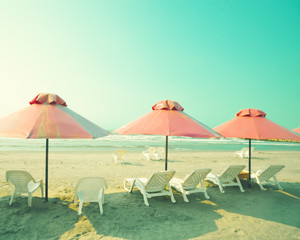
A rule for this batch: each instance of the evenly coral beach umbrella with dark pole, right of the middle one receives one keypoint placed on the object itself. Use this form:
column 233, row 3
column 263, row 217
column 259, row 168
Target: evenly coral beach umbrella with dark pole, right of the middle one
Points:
column 253, row 124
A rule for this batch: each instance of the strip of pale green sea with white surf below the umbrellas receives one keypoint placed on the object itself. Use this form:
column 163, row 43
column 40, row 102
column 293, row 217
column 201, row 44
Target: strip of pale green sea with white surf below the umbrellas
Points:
column 142, row 142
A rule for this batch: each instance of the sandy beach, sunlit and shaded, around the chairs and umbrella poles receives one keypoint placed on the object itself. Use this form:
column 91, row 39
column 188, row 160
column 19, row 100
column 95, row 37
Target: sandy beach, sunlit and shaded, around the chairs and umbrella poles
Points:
column 255, row 214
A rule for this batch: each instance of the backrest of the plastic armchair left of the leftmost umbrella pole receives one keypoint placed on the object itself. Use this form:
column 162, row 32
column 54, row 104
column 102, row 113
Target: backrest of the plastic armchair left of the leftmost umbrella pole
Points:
column 19, row 179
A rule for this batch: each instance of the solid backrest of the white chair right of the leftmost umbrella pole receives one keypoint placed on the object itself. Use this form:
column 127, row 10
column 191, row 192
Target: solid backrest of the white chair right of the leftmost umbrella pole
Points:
column 91, row 187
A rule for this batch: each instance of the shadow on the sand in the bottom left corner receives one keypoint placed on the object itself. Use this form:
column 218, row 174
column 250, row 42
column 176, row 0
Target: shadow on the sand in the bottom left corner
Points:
column 41, row 221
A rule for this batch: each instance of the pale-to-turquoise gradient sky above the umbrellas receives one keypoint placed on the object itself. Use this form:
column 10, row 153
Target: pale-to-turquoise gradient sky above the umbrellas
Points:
column 112, row 60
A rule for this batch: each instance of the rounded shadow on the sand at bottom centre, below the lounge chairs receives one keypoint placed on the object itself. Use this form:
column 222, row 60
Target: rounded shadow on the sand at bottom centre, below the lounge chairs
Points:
column 161, row 220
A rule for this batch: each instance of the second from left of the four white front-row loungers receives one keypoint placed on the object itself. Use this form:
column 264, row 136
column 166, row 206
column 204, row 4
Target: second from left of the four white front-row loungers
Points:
column 190, row 183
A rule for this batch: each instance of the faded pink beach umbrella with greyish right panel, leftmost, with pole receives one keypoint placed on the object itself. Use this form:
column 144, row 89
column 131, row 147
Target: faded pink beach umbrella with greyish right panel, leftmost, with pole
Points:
column 48, row 117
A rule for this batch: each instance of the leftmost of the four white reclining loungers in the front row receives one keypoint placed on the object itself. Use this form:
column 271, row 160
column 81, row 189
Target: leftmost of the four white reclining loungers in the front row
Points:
column 154, row 186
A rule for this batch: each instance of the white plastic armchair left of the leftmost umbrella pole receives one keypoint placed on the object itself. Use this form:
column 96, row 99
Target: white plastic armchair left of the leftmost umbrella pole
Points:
column 23, row 183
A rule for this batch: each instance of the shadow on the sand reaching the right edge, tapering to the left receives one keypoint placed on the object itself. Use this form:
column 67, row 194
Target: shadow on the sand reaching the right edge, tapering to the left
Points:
column 281, row 206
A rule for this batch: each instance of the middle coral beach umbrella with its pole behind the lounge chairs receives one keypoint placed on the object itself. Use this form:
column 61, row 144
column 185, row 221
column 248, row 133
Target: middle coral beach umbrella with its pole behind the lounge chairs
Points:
column 168, row 119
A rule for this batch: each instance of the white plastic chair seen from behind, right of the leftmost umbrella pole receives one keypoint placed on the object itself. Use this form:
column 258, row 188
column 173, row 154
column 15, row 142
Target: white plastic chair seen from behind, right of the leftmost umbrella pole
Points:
column 90, row 189
